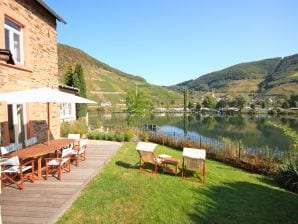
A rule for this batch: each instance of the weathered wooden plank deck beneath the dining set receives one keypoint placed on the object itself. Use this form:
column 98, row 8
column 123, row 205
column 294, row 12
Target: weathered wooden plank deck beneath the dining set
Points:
column 45, row 201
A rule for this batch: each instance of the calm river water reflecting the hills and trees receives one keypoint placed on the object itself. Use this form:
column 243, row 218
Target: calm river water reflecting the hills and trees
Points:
column 253, row 131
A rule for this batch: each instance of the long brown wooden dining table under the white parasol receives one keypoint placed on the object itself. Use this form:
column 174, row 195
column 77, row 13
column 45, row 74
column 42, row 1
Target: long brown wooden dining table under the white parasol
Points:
column 37, row 151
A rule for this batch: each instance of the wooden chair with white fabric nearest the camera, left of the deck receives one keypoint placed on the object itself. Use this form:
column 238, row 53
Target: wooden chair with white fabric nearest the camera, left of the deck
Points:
column 15, row 171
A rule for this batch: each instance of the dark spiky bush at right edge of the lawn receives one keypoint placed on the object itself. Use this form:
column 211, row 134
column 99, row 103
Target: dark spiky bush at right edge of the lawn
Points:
column 287, row 176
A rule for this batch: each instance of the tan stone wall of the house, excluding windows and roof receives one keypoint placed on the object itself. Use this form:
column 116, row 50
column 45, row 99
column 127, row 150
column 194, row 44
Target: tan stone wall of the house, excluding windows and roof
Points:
column 40, row 67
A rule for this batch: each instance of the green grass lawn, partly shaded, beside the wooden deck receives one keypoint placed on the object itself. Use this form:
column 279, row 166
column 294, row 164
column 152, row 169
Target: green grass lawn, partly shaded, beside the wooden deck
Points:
column 123, row 194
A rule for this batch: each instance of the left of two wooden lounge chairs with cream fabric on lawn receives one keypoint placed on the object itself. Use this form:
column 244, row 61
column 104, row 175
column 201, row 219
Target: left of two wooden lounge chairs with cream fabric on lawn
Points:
column 147, row 156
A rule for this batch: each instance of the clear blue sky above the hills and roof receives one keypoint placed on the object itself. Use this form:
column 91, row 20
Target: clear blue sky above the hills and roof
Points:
column 170, row 41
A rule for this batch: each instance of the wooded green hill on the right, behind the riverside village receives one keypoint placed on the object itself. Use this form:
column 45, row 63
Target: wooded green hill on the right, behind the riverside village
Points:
column 274, row 76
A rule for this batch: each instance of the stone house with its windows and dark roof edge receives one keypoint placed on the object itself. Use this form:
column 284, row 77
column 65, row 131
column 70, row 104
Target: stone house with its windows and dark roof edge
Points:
column 29, row 28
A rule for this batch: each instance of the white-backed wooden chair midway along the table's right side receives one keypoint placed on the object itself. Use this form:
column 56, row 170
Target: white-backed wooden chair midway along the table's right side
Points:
column 57, row 165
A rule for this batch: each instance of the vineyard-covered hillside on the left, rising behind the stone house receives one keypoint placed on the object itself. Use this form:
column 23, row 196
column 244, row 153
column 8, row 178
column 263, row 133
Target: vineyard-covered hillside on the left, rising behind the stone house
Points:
column 105, row 83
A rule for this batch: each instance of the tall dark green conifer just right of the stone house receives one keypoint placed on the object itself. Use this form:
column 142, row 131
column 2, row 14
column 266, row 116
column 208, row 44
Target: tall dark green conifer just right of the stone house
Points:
column 79, row 82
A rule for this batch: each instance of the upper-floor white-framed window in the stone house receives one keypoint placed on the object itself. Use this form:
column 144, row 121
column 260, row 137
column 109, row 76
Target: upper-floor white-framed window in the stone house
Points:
column 14, row 40
